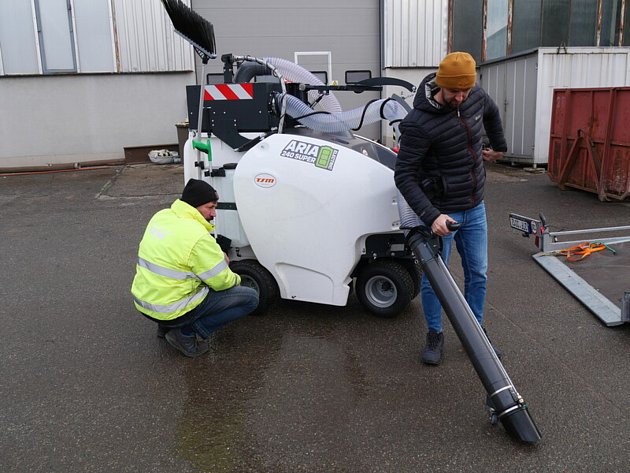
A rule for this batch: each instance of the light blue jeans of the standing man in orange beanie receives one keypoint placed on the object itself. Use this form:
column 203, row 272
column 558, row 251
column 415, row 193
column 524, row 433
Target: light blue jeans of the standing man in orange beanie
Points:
column 472, row 245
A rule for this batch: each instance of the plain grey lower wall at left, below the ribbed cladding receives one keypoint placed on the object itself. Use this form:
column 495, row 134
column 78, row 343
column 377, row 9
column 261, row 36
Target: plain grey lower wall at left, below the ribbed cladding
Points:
column 65, row 119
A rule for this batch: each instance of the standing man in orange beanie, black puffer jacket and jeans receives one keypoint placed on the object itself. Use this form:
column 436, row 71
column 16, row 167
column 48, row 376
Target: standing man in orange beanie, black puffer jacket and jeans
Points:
column 440, row 173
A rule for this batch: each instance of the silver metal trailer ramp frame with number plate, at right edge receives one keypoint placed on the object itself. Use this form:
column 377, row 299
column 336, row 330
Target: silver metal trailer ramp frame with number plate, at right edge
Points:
column 601, row 281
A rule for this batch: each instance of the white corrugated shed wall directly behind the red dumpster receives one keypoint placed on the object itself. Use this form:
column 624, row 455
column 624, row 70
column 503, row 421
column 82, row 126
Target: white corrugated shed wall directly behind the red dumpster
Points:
column 573, row 68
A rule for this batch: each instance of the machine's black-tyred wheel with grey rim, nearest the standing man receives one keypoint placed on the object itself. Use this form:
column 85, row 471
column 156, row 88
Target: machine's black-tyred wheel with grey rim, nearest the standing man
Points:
column 384, row 287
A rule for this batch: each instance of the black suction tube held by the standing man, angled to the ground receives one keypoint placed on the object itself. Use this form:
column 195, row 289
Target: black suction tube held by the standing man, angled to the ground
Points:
column 503, row 399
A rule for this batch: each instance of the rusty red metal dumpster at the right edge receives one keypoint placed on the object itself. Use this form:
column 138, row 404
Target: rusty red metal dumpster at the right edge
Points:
column 589, row 146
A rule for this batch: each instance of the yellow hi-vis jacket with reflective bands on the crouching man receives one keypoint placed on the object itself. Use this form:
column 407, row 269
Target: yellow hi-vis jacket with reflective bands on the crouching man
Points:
column 178, row 260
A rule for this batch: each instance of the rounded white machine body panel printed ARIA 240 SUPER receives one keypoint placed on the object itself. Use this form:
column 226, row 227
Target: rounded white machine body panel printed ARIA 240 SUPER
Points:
column 306, row 206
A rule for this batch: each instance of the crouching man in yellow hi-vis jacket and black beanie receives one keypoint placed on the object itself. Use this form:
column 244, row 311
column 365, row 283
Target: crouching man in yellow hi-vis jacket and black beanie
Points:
column 183, row 280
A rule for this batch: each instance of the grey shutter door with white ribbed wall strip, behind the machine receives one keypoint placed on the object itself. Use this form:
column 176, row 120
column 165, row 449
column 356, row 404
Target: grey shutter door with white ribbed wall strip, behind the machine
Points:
column 405, row 39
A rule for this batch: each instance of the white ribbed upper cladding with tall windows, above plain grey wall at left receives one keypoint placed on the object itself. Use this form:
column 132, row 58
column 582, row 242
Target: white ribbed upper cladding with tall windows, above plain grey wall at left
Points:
column 89, row 36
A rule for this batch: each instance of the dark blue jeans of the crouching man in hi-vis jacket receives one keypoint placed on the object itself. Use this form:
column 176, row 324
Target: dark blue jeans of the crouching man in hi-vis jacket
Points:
column 218, row 309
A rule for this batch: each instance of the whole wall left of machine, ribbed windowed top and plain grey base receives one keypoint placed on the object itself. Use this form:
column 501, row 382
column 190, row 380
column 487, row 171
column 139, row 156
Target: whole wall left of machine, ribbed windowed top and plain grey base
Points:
column 124, row 85
